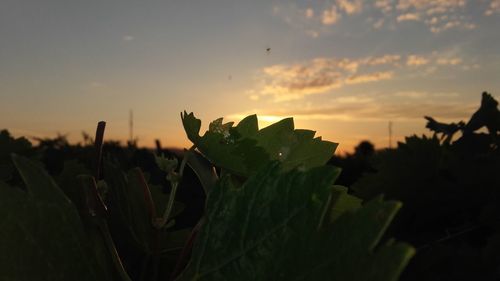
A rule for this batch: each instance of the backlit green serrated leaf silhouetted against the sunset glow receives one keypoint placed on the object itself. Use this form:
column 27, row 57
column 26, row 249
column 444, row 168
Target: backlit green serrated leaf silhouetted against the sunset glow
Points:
column 244, row 149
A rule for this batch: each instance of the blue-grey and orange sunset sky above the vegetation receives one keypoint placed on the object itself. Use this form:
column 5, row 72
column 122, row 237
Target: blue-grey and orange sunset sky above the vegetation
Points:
column 344, row 68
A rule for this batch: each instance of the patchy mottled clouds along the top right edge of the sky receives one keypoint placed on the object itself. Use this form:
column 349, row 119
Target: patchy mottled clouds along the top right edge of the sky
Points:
column 316, row 18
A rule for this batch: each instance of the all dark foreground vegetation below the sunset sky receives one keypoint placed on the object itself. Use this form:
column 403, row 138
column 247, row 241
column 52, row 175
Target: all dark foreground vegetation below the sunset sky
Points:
column 276, row 207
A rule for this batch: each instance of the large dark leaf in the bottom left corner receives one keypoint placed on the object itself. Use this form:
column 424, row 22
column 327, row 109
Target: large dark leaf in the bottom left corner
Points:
column 42, row 236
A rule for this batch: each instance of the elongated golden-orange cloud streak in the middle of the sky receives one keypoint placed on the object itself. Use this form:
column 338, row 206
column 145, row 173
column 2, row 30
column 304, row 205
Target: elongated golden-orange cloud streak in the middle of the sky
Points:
column 284, row 82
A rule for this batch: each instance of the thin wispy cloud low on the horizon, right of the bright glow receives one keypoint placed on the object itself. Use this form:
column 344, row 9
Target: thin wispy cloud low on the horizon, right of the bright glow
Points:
column 399, row 106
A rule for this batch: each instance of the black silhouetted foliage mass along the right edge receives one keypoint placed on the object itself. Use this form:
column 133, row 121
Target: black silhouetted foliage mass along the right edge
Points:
column 451, row 196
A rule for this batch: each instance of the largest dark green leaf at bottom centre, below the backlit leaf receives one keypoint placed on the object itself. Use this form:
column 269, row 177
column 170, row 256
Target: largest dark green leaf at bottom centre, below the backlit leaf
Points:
column 268, row 230
